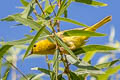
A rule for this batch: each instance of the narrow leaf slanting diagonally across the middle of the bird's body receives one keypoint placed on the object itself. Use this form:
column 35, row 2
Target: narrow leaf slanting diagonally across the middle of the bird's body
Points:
column 66, row 48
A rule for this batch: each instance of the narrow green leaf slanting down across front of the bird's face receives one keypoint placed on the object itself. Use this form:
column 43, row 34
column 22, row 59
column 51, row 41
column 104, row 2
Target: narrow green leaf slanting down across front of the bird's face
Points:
column 34, row 40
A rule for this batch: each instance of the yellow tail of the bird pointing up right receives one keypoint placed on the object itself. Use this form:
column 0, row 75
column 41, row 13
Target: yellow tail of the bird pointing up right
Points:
column 99, row 24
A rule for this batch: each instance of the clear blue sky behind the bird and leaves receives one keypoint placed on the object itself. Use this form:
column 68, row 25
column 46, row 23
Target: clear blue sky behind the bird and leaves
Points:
column 83, row 13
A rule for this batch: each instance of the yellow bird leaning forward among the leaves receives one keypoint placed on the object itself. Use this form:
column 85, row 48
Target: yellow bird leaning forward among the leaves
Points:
column 44, row 47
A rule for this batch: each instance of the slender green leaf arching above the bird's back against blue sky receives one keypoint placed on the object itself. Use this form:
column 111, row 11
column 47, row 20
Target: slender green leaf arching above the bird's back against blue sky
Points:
column 70, row 21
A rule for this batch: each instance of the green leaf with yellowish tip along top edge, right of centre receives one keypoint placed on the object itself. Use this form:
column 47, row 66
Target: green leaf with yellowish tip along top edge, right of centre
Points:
column 91, row 2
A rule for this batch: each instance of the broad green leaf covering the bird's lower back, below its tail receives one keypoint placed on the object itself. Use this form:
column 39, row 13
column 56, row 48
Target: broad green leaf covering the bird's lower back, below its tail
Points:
column 81, row 33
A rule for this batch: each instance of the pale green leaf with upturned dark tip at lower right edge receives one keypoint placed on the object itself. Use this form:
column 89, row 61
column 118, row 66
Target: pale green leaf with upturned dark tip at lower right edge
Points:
column 107, row 64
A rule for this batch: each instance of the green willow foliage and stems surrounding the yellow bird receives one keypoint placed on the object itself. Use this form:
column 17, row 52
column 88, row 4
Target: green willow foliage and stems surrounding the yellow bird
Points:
column 44, row 26
